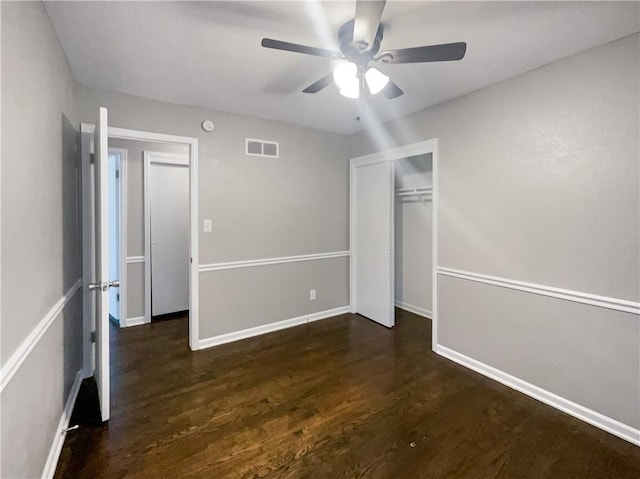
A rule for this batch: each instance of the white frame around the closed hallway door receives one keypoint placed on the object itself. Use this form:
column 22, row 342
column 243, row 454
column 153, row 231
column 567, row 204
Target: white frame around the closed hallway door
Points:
column 150, row 157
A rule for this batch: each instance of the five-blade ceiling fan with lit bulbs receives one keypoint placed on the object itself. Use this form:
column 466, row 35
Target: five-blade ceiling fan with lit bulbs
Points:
column 360, row 40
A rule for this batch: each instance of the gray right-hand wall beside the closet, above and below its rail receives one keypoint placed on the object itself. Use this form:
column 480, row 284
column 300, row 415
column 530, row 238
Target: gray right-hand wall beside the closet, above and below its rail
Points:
column 539, row 182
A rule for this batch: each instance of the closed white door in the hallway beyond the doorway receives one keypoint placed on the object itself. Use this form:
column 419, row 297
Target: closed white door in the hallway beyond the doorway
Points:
column 169, row 235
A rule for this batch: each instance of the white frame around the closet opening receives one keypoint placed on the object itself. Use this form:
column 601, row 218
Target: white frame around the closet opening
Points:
column 392, row 155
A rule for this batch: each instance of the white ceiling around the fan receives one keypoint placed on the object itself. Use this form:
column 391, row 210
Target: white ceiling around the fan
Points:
column 208, row 53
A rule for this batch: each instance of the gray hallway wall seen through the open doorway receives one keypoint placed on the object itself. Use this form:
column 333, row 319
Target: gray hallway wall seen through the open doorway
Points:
column 135, row 214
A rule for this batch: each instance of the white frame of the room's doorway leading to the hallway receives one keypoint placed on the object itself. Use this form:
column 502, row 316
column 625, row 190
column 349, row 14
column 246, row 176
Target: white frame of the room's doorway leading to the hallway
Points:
column 88, row 199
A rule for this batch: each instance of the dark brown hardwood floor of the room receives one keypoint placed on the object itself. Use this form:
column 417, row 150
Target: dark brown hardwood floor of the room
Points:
column 338, row 398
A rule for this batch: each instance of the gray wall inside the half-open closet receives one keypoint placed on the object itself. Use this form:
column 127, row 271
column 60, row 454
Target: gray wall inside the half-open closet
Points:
column 413, row 236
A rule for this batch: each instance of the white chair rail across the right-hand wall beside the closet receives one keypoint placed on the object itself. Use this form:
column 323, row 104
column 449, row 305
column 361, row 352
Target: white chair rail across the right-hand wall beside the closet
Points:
column 566, row 294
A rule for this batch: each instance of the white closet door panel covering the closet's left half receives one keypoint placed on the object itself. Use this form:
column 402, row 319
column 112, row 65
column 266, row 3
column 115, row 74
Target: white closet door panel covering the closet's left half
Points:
column 372, row 232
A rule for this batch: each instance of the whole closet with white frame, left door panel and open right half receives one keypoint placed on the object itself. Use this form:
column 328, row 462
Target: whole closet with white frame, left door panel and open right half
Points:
column 393, row 234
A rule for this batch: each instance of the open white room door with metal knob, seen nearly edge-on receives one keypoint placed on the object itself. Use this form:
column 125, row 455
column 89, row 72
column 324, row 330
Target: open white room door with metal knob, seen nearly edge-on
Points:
column 101, row 282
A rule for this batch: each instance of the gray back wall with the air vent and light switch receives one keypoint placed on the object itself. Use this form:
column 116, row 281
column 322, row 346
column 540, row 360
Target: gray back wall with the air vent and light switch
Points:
column 261, row 207
